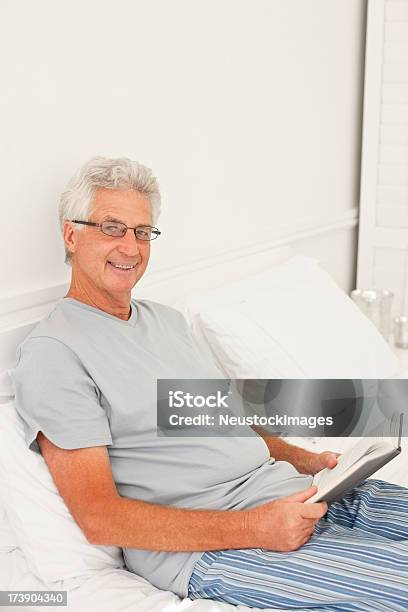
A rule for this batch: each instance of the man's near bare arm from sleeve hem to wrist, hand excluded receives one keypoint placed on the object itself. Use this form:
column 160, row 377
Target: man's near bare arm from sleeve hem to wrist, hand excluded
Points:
column 84, row 480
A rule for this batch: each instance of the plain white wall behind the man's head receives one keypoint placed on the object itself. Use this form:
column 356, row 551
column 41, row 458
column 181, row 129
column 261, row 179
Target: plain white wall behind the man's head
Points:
column 248, row 111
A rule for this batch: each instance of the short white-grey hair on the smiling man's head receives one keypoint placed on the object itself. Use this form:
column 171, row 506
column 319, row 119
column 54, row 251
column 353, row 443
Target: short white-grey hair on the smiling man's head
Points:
column 102, row 172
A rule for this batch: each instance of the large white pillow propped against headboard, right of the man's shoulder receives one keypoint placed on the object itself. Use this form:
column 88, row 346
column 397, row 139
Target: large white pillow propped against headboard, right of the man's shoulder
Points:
column 295, row 322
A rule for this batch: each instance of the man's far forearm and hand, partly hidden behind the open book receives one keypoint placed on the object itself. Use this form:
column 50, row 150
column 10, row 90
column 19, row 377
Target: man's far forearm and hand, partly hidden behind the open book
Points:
column 306, row 462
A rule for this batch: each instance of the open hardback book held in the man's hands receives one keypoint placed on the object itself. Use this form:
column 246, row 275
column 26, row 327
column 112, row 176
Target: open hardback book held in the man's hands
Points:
column 357, row 464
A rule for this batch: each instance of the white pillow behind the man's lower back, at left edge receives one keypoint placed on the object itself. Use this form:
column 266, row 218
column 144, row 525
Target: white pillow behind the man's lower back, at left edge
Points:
column 52, row 542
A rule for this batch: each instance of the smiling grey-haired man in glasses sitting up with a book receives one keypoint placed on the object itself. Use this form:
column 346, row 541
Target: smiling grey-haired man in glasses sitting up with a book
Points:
column 204, row 517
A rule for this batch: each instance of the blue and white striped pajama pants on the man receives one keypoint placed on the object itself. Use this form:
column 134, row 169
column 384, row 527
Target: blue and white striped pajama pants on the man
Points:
column 356, row 560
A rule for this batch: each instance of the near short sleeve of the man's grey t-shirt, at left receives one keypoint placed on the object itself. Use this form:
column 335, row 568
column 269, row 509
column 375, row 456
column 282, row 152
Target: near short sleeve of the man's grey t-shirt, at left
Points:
column 57, row 396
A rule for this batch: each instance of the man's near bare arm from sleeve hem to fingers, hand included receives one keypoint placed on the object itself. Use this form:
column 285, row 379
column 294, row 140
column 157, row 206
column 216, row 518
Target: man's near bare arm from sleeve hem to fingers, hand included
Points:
column 84, row 479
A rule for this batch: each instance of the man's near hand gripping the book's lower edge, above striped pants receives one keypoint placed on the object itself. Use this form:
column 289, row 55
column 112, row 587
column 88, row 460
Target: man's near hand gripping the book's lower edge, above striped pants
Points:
column 285, row 524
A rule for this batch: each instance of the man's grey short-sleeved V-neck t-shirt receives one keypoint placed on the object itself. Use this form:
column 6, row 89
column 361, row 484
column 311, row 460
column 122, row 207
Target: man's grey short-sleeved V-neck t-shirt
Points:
column 87, row 378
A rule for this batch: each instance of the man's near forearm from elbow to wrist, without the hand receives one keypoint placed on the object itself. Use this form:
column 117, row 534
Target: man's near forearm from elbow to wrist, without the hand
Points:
column 136, row 524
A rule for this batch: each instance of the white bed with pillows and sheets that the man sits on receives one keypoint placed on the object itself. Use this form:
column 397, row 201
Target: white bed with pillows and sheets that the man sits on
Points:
column 288, row 321
